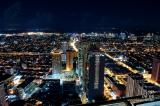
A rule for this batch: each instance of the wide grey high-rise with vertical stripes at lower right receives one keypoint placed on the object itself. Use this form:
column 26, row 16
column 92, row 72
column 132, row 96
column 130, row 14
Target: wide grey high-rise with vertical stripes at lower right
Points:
column 137, row 86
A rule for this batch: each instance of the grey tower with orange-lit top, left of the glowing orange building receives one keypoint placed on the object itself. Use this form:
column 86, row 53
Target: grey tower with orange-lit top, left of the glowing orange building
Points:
column 56, row 62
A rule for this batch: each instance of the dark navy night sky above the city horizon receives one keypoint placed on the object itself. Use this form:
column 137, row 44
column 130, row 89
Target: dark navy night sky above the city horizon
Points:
column 74, row 15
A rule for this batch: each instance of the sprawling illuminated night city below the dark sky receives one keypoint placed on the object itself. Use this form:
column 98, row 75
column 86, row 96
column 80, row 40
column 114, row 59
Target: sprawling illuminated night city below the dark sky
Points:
column 63, row 69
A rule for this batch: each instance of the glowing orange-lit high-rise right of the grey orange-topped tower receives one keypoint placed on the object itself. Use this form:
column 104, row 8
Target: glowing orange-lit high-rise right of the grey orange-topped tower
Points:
column 70, row 56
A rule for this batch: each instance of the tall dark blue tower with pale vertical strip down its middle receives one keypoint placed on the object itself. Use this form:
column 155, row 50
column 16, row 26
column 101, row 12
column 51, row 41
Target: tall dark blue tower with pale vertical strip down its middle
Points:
column 95, row 75
